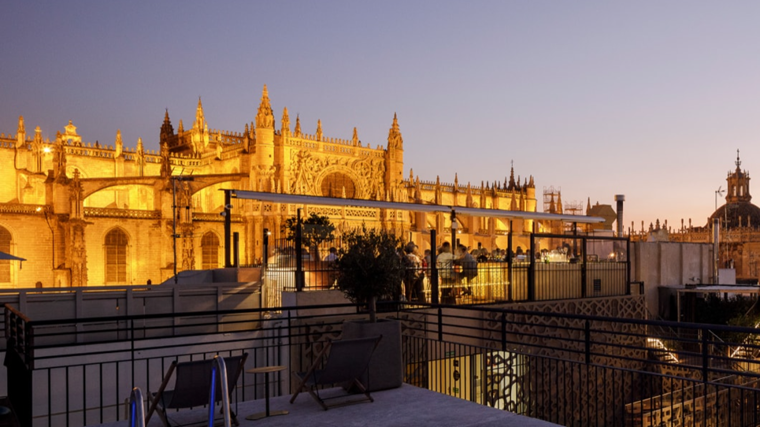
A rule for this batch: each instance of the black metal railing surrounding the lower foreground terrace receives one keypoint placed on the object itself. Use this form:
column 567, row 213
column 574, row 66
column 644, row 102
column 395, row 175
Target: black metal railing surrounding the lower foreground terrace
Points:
column 564, row 368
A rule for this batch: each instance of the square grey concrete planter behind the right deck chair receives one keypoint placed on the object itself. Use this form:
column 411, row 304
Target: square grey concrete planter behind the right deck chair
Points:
column 386, row 368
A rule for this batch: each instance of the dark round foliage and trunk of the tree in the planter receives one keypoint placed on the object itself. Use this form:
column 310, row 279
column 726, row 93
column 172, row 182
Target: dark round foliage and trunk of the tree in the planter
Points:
column 369, row 266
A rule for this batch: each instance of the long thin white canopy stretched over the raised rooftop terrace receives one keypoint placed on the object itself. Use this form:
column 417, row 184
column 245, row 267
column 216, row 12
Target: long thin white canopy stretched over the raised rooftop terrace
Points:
column 415, row 207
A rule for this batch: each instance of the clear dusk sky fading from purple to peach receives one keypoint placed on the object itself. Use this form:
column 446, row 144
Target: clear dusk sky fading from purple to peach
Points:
column 648, row 99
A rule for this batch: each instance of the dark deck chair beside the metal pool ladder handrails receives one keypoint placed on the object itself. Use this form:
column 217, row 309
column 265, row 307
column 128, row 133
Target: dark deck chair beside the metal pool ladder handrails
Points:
column 191, row 387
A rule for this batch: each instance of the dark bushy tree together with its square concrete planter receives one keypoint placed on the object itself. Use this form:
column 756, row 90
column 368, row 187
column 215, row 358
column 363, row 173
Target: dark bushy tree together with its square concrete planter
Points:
column 369, row 268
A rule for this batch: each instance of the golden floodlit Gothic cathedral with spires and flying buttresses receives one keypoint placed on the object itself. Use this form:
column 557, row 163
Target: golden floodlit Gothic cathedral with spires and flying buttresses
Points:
column 86, row 214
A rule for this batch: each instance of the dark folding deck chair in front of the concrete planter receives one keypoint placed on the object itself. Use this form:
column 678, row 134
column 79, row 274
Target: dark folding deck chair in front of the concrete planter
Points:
column 345, row 364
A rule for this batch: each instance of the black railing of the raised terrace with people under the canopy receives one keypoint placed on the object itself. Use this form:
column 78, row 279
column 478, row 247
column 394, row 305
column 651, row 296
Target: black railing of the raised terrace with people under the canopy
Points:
column 568, row 267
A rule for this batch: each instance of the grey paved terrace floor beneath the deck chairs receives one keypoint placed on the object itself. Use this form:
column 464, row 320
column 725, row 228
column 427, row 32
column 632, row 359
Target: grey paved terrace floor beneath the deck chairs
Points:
column 405, row 406
